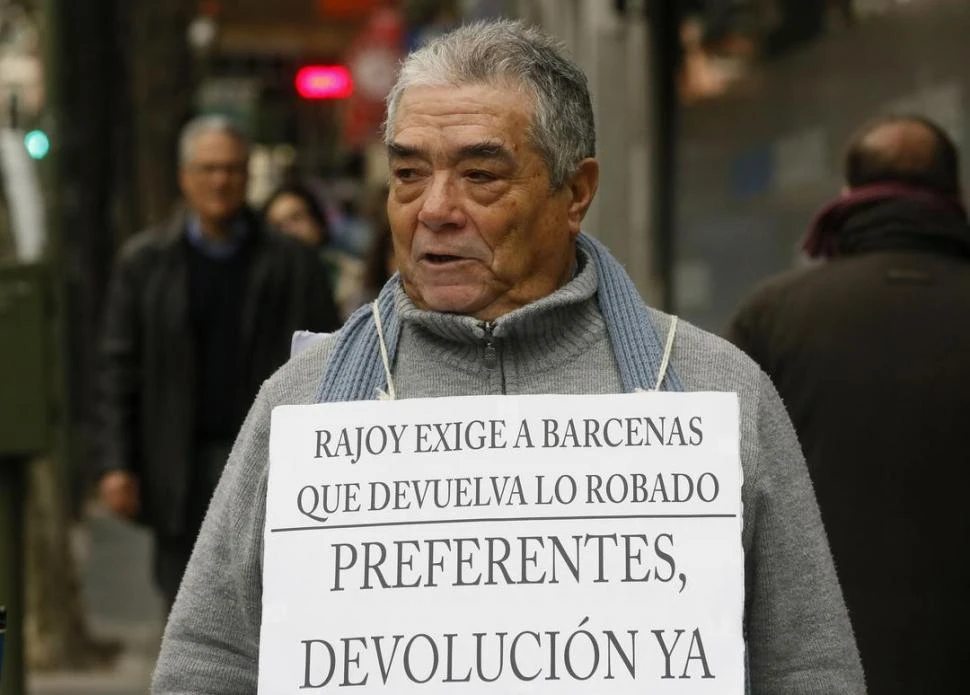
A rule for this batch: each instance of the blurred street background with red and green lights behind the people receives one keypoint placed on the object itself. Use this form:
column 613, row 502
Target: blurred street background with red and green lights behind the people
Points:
column 720, row 128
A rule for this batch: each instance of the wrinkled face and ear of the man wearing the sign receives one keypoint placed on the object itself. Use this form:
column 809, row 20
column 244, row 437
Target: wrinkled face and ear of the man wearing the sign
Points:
column 477, row 229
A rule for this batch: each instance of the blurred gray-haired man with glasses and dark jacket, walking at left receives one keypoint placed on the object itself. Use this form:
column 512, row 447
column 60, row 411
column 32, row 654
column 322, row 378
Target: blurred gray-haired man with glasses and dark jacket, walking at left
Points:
column 200, row 311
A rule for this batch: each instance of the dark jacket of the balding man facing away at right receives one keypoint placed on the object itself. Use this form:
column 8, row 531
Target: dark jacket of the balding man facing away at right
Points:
column 871, row 353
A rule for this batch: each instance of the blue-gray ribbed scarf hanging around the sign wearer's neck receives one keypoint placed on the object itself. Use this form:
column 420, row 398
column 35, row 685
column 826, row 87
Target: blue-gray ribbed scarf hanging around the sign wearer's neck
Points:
column 356, row 371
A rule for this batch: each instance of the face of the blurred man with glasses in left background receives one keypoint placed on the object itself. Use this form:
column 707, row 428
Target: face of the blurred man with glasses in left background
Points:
column 213, row 180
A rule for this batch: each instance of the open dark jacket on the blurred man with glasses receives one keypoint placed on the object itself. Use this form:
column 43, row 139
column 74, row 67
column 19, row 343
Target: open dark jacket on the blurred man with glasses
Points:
column 146, row 414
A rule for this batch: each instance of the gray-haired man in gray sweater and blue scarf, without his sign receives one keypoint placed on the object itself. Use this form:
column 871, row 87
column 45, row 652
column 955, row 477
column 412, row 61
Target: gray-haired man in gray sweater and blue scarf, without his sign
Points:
column 491, row 142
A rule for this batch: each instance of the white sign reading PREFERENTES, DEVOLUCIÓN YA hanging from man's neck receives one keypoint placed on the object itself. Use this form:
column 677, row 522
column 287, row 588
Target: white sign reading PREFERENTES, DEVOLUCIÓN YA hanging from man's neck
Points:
column 505, row 544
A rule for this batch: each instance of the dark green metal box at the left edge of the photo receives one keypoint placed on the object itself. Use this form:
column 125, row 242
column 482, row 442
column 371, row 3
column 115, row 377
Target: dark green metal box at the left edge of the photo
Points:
column 25, row 352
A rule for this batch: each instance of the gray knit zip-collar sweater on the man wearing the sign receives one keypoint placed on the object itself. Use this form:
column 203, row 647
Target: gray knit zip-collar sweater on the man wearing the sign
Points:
column 799, row 637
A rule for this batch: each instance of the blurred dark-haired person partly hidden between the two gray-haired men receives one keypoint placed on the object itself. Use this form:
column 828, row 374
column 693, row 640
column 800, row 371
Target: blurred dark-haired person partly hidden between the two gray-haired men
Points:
column 294, row 210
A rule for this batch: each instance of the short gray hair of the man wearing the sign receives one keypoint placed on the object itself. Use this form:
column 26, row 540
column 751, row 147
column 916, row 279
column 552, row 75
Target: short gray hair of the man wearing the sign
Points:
column 506, row 53
